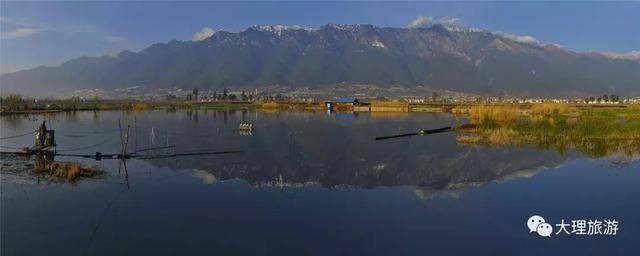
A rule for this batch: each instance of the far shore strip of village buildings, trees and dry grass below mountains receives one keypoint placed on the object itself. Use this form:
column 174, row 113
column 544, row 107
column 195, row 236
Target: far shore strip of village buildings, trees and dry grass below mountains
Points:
column 356, row 95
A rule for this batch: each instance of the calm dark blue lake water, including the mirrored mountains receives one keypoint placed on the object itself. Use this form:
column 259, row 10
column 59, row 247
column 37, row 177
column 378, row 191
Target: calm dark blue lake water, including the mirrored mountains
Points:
column 308, row 184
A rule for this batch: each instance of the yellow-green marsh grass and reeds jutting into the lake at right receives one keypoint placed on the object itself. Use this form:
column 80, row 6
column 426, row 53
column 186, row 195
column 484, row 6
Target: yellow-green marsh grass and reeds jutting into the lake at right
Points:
column 594, row 131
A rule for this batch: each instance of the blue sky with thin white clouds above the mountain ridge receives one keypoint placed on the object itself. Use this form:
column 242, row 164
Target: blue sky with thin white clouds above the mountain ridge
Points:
column 45, row 33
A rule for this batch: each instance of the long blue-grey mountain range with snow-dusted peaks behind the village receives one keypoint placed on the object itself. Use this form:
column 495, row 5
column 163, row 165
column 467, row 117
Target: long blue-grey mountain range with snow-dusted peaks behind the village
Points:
column 441, row 57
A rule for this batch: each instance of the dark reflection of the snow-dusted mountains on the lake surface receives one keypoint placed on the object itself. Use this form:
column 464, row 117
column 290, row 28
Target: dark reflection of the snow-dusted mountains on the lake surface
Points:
column 301, row 148
